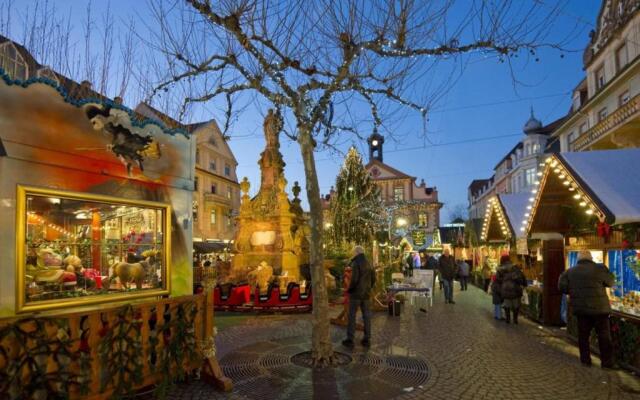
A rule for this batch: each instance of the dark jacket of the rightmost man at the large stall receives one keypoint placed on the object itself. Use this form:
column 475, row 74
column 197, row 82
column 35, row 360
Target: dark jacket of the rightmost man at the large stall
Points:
column 585, row 283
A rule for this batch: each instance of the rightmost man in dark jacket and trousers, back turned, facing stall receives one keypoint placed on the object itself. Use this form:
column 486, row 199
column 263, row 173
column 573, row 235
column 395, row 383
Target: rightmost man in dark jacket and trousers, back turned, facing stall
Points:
column 585, row 283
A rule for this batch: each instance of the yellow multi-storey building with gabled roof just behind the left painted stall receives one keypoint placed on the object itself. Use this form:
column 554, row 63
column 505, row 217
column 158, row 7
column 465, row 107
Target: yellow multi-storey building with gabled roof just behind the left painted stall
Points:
column 217, row 192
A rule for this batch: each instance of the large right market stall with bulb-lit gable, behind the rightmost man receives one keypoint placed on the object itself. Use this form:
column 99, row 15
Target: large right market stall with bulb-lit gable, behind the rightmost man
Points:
column 589, row 201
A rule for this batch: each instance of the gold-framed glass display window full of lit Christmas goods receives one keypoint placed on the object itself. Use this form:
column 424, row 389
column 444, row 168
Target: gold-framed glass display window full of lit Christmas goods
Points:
column 77, row 249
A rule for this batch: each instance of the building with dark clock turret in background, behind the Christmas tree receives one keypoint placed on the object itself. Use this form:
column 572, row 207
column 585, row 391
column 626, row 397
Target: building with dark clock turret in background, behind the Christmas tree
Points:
column 418, row 205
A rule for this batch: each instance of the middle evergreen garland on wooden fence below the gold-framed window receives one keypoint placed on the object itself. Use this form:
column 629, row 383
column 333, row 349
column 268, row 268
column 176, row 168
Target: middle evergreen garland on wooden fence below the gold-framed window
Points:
column 120, row 353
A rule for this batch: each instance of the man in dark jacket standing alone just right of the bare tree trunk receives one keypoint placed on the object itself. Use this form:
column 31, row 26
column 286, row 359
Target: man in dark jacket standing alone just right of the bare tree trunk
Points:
column 363, row 278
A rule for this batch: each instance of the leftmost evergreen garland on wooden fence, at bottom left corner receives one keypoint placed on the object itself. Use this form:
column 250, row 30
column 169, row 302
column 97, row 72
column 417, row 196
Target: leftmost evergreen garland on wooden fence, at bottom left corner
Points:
column 36, row 364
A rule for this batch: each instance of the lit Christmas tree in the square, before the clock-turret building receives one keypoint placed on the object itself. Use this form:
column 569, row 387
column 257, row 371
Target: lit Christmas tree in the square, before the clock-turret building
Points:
column 355, row 205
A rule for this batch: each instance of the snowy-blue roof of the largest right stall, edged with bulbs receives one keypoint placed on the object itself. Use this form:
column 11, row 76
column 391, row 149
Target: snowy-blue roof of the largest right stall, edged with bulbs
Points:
column 603, row 184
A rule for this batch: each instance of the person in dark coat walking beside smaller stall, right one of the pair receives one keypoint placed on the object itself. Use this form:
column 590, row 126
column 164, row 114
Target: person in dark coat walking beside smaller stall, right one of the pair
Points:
column 512, row 283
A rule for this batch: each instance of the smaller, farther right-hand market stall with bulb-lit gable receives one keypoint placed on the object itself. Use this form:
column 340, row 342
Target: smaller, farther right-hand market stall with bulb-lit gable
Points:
column 504, row 215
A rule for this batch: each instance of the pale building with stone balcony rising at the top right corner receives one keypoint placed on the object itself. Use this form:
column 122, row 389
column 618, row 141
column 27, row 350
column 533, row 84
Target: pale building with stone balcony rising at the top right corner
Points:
column 605, row 109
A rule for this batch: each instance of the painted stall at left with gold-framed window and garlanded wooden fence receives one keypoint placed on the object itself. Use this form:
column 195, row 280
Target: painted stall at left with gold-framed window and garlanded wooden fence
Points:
column 95, row 297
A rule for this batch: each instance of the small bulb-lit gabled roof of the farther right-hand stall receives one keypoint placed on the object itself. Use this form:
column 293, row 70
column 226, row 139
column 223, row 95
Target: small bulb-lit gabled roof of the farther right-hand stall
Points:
column 504, row 214
